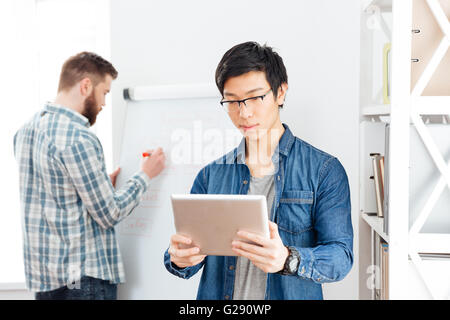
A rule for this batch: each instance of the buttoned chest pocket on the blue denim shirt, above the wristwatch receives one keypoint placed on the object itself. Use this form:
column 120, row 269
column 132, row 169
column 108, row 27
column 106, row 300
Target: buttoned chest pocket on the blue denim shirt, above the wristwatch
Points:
column 294, row 213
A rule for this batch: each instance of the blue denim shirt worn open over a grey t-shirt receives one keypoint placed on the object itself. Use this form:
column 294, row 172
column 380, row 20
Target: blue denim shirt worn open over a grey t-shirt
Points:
column 312, row 211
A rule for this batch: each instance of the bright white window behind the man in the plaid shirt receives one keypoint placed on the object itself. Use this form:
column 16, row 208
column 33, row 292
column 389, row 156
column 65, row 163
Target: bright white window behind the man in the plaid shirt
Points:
column 41, row 35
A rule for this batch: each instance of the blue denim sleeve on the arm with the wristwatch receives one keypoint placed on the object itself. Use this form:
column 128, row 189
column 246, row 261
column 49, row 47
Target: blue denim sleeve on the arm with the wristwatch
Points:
column 332, row 257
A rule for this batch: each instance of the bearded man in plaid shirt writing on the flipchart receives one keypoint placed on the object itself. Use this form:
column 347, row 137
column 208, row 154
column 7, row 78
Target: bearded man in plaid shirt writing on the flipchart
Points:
column 68, row 202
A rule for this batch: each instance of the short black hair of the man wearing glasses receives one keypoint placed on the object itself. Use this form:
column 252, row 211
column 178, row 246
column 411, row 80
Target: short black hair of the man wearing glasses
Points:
column 251, row 56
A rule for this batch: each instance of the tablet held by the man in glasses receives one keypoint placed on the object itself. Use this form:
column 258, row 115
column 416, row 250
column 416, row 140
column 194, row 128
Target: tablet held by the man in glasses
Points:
column 212, row 220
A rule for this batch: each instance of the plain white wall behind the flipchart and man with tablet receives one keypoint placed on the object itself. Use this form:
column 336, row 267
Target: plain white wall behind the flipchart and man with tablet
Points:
column 181, row 42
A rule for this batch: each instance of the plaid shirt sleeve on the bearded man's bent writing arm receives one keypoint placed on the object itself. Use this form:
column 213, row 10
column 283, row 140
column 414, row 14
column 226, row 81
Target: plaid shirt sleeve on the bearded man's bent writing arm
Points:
column 86, row 168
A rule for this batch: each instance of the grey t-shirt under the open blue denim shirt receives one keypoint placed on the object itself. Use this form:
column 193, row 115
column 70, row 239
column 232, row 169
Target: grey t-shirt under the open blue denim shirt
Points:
column 250, row 281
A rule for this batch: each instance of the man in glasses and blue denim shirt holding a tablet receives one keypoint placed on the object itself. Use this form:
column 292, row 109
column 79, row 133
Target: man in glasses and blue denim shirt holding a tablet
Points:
column 311, row 235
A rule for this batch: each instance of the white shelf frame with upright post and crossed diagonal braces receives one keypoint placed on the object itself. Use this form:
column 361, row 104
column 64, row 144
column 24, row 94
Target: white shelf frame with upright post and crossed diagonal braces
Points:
column 405, row 245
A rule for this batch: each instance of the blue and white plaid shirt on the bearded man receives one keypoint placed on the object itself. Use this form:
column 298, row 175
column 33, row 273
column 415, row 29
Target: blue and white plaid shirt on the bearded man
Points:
column 69, row 207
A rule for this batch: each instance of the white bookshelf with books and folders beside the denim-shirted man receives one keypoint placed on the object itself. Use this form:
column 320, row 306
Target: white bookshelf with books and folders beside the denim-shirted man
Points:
column 415, row 256
